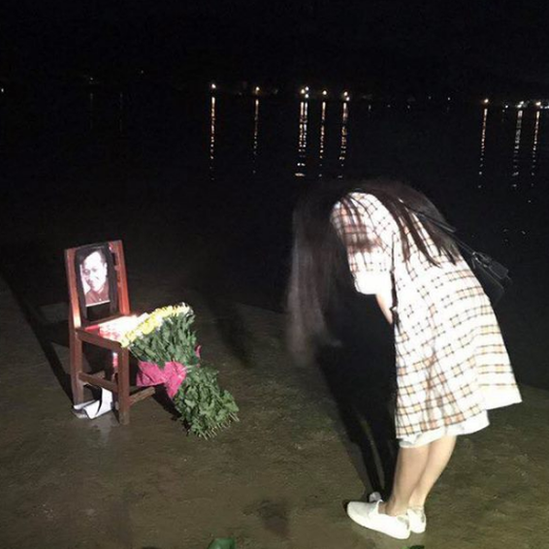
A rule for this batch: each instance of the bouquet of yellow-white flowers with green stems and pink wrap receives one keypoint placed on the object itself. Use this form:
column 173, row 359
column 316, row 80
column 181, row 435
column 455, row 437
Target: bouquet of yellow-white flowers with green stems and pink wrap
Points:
column 166, row 348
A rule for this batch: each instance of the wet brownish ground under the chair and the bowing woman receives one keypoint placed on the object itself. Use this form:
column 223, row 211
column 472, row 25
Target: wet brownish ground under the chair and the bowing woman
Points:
column 278, row 479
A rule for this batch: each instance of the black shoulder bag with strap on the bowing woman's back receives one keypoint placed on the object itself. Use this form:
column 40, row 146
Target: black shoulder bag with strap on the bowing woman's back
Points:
column 491, row 274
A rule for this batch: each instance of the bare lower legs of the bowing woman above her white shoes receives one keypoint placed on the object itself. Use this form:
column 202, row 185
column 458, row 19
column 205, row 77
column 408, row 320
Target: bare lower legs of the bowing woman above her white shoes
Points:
column 416, row 472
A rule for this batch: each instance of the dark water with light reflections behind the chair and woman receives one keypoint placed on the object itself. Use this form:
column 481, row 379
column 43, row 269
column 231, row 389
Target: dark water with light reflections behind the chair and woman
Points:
column 207, row 183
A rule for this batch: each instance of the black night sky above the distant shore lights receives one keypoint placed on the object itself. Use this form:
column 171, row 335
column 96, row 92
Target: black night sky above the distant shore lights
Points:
column 458, row 45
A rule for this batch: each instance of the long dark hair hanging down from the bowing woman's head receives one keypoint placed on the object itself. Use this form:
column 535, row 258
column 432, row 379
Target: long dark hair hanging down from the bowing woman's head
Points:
column 320, row 278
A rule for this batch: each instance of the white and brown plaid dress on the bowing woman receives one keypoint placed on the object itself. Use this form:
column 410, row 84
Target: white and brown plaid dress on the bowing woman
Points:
column 452, row 365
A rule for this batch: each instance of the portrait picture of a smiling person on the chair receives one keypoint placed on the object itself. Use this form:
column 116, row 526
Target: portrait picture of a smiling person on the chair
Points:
column 96, row 281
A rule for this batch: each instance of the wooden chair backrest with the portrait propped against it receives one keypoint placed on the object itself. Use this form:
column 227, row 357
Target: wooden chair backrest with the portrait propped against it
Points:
column 97, row 281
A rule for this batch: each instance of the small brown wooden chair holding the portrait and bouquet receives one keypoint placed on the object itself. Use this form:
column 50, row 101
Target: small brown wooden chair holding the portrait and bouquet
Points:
column 85, row 327
